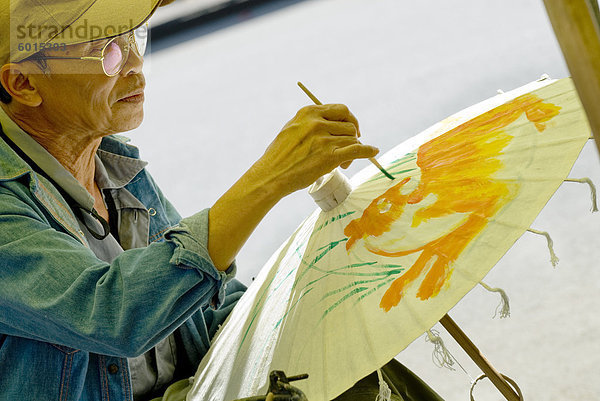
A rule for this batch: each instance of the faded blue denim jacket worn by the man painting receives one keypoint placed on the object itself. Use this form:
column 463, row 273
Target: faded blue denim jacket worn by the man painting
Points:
column 69, row 321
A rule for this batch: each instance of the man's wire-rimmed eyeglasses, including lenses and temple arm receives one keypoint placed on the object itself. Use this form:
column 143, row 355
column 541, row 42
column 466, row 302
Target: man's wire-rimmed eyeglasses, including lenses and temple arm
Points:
column 115, row 52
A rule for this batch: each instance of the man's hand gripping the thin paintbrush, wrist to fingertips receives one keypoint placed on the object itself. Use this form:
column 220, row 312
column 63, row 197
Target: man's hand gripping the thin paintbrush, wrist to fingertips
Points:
column 317, row 140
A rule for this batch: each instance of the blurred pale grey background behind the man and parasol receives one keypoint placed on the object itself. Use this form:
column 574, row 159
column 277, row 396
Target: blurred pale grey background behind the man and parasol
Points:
column 217, row 94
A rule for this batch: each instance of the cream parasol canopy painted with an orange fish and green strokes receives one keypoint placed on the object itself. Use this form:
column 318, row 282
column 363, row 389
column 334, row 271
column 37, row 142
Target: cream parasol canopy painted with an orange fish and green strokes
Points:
column 356, row 284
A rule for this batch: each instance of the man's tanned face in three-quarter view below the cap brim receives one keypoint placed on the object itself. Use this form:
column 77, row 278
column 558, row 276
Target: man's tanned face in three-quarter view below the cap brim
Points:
column 76, row 94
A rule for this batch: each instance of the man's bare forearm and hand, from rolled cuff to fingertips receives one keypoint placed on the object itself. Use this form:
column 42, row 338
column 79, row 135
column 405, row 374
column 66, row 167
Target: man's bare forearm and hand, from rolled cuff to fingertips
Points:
column 314, row 142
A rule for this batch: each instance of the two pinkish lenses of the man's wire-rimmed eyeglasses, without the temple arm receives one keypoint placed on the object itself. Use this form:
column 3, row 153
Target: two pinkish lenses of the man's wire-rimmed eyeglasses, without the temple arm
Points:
column 117, row 50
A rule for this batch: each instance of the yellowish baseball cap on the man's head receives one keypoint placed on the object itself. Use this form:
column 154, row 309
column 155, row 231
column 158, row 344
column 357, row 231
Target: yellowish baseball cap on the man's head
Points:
column 28, row 26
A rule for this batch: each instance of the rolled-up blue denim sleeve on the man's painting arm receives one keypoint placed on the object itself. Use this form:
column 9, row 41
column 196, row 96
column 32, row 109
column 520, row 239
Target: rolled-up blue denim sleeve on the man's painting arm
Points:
column 54, row 289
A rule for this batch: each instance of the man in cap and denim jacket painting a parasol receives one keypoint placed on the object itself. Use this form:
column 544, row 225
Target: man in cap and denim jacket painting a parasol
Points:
column 106, row 293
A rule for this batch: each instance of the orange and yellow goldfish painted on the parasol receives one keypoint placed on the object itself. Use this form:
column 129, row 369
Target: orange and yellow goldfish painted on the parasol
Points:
column 467, row 157
